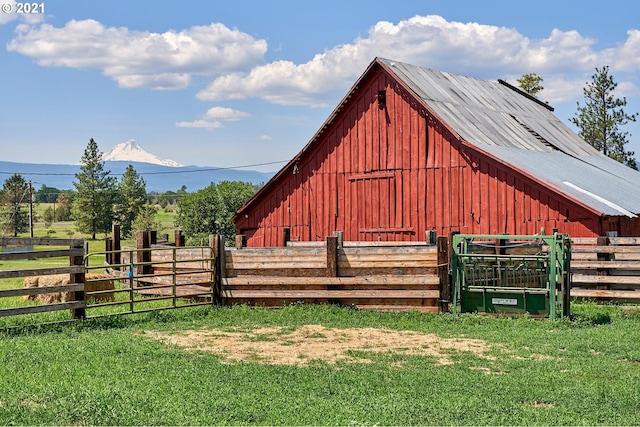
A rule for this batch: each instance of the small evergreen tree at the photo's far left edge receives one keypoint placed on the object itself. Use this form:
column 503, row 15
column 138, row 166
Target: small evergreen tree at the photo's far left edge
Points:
column 14, row 194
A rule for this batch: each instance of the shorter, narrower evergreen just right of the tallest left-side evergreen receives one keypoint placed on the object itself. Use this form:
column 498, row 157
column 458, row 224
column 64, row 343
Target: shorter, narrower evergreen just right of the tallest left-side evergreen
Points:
column 132, row 196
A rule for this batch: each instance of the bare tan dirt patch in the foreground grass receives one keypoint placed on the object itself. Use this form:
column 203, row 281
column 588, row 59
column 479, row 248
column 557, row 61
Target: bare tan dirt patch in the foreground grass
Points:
column 315, row 342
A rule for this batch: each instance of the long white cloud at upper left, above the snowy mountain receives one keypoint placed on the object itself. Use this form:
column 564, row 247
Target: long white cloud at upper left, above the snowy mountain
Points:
column 140, row 58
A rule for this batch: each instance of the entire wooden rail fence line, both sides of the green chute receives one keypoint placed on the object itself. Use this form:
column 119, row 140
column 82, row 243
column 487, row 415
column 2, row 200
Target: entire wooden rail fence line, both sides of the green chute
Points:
column 373, row 275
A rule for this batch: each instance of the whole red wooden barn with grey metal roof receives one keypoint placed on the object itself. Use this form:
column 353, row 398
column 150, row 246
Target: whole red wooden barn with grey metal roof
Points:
column 411, row 150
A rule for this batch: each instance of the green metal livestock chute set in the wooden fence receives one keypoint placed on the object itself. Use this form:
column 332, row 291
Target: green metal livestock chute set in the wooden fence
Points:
column 511, row 274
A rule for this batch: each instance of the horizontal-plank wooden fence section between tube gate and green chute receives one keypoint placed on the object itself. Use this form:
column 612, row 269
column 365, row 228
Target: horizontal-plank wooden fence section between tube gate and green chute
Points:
column 391, row 276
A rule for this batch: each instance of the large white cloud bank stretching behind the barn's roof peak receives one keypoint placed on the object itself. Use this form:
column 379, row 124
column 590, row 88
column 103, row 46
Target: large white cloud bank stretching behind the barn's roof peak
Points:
column 473, row 49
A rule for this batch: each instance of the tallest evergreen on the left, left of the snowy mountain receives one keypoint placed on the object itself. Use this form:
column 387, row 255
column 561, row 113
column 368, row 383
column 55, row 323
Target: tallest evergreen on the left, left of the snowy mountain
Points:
column 95, row 193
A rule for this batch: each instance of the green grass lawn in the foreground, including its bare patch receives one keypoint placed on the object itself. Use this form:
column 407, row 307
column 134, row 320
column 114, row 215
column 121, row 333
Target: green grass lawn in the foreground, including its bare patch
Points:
column 323, row 365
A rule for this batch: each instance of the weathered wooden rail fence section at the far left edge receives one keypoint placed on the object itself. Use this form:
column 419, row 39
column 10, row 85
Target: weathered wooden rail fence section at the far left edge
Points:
column 73, row 289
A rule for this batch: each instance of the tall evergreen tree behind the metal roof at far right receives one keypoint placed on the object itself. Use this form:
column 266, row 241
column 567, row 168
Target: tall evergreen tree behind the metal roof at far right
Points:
column 599, row 120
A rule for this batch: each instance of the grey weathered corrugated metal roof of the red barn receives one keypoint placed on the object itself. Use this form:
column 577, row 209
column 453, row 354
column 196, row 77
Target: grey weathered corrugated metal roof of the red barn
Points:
column 525, row 134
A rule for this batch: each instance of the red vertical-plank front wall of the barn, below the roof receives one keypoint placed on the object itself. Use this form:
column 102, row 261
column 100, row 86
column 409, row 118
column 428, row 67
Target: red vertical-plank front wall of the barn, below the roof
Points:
column 393, row 174
